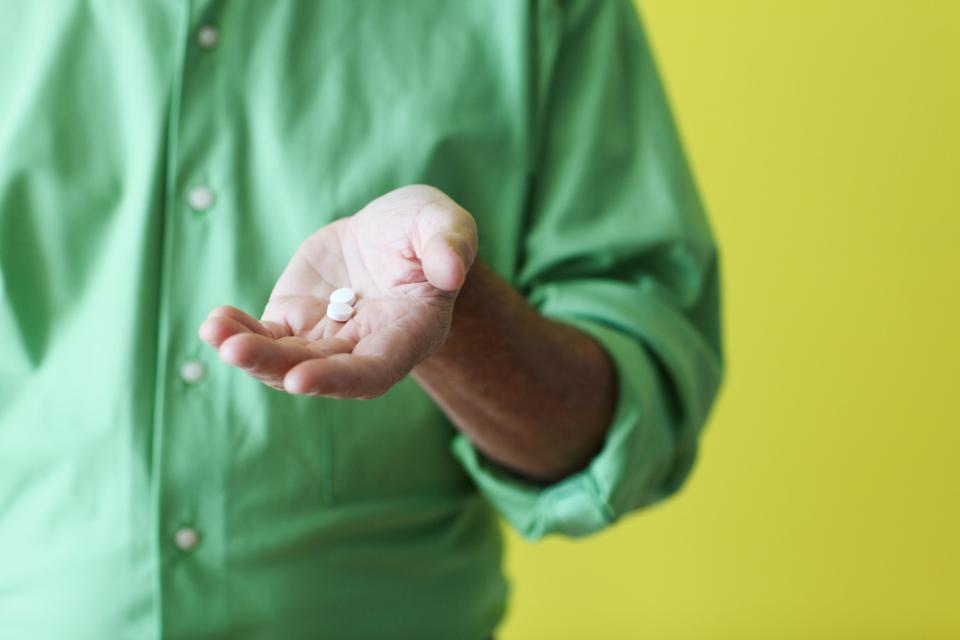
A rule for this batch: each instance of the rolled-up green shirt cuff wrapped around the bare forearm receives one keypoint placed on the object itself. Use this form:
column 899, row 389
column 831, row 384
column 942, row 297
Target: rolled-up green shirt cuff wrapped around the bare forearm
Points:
column 628, row 472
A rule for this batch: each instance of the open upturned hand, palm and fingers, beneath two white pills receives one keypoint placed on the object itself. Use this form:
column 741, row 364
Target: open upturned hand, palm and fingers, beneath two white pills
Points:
column 405, row 254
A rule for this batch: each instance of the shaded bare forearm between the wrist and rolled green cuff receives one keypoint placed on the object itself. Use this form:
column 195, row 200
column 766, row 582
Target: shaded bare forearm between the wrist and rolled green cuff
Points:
column 533, row 394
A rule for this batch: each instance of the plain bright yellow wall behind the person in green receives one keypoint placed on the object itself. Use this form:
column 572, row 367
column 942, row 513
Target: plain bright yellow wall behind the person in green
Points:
column 826, row 501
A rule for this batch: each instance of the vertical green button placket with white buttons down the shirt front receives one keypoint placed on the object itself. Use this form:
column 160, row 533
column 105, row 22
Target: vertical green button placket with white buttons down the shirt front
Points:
column 188, row 472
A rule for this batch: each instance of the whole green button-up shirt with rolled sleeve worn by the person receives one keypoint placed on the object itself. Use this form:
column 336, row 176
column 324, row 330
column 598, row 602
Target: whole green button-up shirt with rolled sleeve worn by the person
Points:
column 160, row 158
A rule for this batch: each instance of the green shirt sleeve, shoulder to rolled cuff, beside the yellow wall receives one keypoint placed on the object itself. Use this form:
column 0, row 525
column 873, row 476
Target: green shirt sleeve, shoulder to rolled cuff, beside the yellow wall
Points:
column 618, row 245
